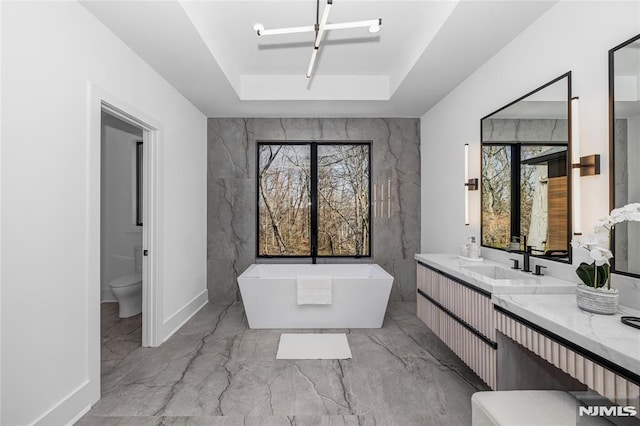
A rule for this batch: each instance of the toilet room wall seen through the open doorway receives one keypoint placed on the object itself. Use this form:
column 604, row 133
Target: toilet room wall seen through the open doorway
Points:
column 119, row 234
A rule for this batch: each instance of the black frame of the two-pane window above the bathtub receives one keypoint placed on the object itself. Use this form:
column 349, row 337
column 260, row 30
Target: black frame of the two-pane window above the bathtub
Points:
column 313, row 144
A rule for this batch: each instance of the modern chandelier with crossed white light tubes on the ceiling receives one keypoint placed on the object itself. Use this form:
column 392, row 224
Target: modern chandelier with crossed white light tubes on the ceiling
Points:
column 320, row 27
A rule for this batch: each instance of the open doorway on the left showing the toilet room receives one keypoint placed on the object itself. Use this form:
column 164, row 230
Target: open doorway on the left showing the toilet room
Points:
column 121, row 228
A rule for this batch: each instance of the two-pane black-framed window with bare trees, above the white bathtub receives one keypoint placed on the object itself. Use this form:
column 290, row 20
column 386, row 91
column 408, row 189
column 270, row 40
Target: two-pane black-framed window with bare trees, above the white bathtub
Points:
column 314, row 199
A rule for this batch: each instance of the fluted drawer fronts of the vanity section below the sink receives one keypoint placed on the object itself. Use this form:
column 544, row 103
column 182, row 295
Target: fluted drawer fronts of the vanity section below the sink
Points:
column 462, row 316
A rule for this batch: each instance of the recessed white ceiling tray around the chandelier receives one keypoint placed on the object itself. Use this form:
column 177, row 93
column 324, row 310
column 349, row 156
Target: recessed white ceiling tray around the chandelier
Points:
column 356, row 65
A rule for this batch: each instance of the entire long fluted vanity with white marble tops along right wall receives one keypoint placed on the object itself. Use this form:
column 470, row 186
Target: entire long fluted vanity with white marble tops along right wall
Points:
column 546, row 342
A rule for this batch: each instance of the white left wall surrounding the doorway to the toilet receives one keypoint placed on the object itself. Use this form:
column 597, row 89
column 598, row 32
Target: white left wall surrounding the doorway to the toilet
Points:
column 52, row 54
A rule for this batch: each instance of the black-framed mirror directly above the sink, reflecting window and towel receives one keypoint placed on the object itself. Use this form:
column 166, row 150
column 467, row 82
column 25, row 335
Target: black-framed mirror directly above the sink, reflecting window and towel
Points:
column 525, row 199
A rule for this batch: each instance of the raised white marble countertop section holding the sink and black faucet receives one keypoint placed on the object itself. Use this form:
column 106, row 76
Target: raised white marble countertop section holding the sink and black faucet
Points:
column 521, row 283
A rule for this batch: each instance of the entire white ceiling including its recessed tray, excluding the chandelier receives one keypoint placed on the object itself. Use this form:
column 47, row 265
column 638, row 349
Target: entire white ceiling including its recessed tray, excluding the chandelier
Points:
column 210, row 53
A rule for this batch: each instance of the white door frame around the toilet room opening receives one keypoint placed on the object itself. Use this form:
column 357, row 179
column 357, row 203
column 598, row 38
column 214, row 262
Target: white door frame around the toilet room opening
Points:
column 102, row 101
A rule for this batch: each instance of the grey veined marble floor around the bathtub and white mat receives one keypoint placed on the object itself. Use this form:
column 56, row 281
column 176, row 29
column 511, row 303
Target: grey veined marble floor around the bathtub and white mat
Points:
column 216, row 371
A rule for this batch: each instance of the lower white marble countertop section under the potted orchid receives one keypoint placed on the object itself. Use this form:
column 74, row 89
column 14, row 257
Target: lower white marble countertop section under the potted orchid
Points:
column 603, row 335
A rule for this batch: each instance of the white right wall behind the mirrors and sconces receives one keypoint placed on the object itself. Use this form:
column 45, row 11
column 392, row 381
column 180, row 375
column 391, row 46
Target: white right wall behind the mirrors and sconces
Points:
column 572, row 36
